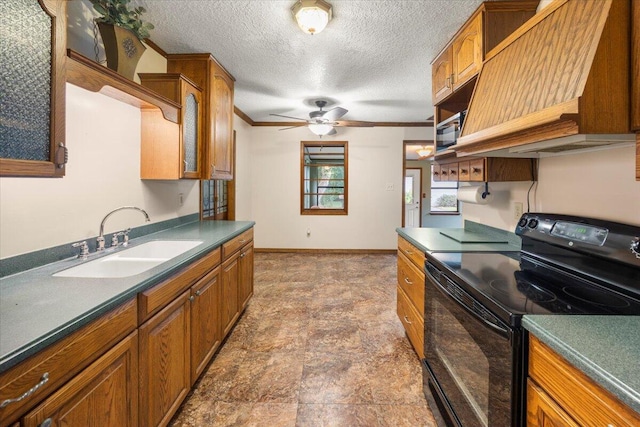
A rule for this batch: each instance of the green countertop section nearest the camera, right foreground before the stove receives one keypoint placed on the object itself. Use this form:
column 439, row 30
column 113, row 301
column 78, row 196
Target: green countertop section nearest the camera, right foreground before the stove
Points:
column 605, row 348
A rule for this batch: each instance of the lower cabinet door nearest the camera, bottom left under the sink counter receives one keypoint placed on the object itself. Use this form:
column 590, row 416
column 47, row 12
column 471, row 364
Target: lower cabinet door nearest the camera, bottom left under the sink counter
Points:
column 104, row 394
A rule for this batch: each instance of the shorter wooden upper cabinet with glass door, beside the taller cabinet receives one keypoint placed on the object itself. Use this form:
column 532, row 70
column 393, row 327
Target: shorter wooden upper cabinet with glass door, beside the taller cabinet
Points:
column 165, row 155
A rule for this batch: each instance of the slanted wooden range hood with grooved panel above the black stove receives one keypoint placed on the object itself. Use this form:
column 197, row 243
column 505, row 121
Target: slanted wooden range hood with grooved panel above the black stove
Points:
column 560, row 82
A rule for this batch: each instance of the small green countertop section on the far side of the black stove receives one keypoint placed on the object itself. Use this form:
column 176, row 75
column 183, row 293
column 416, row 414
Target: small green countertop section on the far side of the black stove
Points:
column 435, row 240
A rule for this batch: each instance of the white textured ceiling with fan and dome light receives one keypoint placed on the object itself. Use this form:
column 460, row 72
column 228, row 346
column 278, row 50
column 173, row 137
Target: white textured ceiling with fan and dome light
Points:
column 372, row 59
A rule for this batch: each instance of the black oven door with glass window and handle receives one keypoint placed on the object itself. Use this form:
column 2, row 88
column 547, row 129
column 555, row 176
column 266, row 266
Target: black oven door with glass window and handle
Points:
column 469, row 357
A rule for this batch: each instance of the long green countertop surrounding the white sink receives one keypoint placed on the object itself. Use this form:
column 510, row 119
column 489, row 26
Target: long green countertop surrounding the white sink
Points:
column 37, row 309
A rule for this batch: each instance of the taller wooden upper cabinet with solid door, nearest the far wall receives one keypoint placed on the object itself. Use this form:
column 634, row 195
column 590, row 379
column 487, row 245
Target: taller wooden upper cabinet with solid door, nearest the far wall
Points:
column 217, row 86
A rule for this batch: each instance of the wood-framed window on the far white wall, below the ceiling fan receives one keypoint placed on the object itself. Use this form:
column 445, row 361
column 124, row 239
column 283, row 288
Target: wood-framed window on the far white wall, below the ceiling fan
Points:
column 323, row 178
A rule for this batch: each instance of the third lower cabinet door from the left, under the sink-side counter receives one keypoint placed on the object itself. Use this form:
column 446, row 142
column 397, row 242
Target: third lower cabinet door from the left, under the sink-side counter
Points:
column 205, row 321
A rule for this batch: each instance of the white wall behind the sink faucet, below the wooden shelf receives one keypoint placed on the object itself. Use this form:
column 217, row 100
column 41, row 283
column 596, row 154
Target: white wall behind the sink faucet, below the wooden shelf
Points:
column 103, row 173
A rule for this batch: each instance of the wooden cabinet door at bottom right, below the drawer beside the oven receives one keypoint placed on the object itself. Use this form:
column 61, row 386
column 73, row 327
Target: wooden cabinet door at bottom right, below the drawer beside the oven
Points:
column 542, row 411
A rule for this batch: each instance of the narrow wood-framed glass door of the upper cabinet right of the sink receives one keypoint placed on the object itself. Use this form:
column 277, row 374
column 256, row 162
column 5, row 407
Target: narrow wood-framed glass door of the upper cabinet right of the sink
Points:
column 191, row 131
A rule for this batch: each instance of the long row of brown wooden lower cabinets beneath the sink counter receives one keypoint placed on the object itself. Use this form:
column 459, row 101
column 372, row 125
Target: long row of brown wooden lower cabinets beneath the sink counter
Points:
column 109, row 373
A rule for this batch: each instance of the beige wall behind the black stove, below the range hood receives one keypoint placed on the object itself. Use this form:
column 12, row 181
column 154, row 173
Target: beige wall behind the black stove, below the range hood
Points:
column 599, row 184
